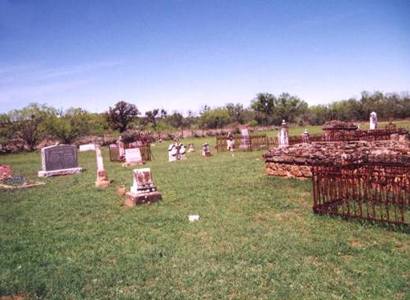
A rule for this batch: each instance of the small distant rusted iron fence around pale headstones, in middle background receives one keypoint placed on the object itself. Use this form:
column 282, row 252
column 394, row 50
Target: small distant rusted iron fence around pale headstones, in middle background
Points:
column 246, row 143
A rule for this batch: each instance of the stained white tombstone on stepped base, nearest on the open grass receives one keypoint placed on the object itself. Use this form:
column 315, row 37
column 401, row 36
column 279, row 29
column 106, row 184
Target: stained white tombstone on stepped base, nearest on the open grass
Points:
column 143, row 189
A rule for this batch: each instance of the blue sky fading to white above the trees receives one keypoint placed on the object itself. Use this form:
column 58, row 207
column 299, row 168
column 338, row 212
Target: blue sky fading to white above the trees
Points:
column 181, row 55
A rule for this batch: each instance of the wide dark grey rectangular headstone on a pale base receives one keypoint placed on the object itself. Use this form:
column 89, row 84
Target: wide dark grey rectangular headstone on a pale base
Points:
column 59, row 160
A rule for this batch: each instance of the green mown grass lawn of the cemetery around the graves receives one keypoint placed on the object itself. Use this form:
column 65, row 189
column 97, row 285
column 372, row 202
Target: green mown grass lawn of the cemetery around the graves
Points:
column 257, row 237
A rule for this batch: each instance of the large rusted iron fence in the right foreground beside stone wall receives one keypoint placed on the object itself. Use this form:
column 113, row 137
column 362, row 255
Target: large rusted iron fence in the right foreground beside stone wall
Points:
column 377, row 191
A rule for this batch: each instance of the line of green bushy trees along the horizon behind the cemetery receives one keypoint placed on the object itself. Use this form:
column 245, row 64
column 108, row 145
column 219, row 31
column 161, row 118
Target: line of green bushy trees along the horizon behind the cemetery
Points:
column 35, row 122
